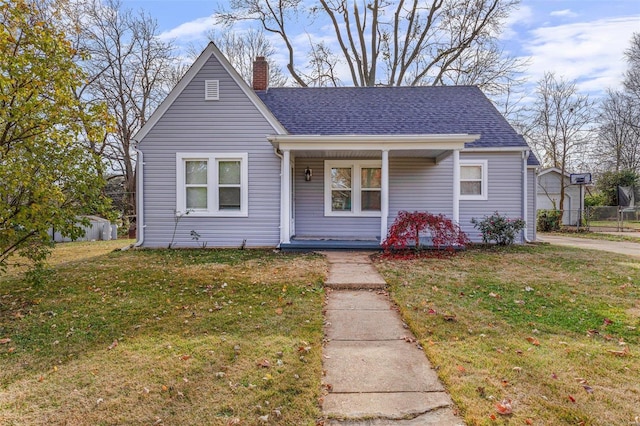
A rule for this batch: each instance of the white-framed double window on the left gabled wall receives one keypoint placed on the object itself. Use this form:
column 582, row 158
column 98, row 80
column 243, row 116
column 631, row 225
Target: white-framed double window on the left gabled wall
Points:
column 212, row 184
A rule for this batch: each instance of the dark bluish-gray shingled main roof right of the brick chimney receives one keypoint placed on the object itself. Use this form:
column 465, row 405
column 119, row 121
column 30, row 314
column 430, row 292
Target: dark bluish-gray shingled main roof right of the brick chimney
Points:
column 392, row 111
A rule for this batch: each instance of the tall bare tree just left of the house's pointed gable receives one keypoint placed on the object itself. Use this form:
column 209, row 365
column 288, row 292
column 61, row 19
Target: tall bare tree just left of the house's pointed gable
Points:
column 129, row 69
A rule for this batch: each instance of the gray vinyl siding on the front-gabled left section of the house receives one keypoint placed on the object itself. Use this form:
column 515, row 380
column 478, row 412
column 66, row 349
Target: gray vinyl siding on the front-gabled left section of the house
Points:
column 191, row 124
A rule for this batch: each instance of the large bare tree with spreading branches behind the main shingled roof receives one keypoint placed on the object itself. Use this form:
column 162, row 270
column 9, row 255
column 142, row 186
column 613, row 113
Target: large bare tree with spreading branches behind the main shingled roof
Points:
column 391, row 42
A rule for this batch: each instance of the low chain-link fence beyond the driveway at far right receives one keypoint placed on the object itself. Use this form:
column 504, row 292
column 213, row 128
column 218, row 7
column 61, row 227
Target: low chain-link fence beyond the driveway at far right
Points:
column 600, row 218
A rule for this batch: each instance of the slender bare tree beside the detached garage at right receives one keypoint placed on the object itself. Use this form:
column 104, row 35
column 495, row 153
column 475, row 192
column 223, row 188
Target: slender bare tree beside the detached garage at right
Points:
column 560, row 125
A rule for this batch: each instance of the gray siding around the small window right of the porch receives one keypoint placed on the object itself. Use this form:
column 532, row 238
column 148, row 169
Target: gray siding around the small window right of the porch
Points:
column 504, row 190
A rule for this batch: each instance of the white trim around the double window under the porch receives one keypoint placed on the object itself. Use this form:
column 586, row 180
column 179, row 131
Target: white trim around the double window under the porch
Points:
column 356, row 166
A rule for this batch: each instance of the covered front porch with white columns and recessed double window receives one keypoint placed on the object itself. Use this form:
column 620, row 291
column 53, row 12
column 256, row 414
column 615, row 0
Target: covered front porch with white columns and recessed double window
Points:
column 320, row 211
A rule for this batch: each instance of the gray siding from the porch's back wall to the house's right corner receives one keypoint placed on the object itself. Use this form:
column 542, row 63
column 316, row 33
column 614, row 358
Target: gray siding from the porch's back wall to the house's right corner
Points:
column 416, row 184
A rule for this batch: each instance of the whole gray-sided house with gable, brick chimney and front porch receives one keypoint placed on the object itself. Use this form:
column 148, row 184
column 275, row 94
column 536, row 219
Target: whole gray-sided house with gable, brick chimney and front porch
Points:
column 320, row 167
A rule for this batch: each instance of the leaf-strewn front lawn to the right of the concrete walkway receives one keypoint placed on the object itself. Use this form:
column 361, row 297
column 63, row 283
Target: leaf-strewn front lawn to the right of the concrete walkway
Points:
column 555, row 330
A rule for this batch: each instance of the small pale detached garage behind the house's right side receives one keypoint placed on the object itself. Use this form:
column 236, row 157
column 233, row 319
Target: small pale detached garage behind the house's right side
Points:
column 550, row 182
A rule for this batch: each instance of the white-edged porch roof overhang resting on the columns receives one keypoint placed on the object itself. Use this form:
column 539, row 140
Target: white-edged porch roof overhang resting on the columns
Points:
column 428, row 146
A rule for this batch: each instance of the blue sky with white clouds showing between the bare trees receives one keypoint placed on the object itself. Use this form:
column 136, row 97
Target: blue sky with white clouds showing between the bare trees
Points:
column 581, row 40
